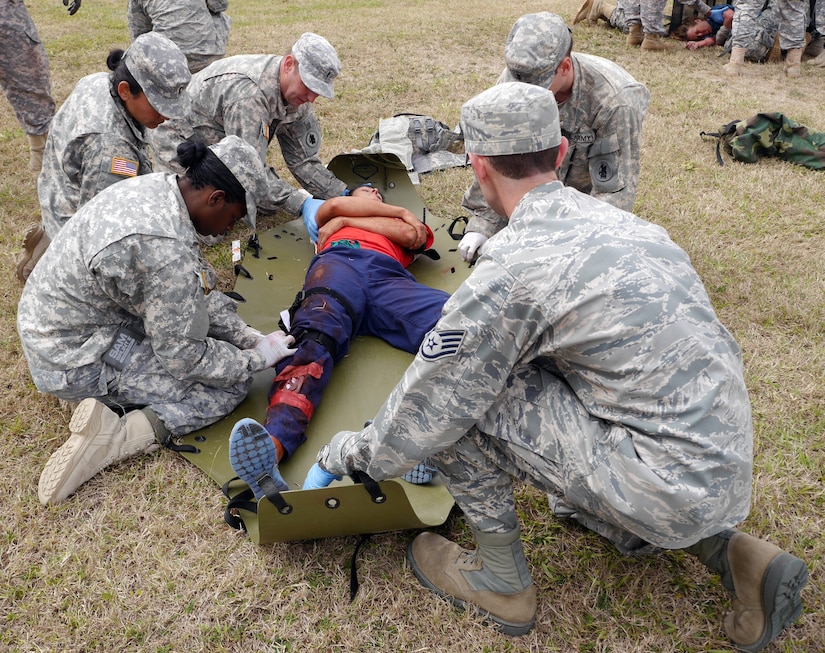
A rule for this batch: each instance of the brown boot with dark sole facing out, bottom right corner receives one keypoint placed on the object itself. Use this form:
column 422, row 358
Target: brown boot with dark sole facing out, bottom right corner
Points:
column 765, row 581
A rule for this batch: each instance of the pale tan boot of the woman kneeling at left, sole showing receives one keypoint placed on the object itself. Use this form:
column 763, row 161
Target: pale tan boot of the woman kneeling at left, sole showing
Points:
column 99, row 438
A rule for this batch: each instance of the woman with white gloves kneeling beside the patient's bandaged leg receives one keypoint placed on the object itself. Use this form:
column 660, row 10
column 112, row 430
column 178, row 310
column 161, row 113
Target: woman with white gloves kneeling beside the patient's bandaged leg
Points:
column 121, row 314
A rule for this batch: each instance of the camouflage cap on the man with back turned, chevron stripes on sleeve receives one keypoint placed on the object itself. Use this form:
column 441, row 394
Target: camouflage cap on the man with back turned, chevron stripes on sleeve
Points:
column 511, row 118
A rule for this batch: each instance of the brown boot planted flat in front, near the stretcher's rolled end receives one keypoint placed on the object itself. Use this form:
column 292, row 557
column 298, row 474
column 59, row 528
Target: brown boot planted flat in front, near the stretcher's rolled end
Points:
column 493, row 580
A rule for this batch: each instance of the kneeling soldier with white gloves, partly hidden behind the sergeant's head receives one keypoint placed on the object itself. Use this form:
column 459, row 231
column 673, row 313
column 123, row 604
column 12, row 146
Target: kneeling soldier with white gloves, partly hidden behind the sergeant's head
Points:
column 601, row 108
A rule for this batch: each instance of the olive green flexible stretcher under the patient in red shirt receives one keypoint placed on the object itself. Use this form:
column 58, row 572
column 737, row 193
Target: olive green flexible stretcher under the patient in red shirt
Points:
column 360, row 383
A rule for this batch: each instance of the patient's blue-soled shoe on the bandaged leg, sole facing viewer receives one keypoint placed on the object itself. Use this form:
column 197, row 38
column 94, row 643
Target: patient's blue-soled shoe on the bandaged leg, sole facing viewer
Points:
column 253, row 456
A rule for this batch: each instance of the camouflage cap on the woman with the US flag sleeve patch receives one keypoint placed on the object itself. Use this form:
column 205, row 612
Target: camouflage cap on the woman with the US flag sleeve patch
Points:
column 160, row 68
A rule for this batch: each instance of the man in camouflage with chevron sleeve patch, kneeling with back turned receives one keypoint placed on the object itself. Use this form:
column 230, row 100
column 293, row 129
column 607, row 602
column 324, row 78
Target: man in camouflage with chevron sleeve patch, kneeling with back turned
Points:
column 582, row 356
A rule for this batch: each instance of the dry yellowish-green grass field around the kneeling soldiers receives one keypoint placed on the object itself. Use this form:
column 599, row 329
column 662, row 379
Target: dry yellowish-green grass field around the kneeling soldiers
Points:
column 140, row 559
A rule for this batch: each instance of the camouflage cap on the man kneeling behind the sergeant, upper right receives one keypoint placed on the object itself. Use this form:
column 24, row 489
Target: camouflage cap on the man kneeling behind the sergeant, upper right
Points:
column 535, row 47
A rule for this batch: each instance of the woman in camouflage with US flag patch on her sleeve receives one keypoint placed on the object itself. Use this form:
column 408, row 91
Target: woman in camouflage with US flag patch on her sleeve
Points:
column 98, row 136
